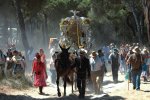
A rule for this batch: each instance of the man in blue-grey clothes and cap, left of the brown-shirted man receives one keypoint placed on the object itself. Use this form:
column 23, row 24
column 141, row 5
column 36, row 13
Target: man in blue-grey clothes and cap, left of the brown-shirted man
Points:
column 114, row 61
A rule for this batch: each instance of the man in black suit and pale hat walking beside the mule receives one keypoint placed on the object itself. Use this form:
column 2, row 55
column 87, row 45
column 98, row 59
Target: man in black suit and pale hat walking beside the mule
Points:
column 83, row 69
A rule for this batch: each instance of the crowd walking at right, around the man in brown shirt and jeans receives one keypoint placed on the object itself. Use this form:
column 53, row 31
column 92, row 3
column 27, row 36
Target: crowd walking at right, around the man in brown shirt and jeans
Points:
column 132, row 60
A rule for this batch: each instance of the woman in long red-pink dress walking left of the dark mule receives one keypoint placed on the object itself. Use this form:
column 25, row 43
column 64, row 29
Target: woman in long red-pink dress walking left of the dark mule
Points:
column 39, row 72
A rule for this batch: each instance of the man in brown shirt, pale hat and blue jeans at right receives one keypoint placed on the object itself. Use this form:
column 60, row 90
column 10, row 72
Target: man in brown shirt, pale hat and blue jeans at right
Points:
column 136, row 61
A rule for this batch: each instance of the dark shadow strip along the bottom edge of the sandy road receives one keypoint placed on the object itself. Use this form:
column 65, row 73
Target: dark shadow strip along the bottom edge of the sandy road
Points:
column 70, row 97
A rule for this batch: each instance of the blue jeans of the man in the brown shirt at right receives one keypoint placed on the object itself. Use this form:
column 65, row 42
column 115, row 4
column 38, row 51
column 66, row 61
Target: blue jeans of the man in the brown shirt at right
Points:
column 136, row 79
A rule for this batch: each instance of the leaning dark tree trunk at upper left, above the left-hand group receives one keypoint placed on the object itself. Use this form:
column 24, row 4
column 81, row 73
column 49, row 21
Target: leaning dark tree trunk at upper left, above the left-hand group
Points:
column 21, row 24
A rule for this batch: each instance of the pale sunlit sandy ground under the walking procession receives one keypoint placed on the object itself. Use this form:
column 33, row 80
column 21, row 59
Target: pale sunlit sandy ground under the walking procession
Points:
column 111, row 91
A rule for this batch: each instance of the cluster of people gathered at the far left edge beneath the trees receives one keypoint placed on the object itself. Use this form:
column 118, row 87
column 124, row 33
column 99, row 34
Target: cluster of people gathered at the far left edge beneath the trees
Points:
column 14, row 62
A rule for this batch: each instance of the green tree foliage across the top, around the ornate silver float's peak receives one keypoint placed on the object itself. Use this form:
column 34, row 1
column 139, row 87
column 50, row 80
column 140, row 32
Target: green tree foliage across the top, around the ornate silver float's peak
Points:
column 111, row 13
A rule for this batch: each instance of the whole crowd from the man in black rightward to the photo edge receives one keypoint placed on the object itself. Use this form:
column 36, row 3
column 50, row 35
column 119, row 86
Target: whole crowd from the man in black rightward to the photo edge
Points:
column 131, row 60
